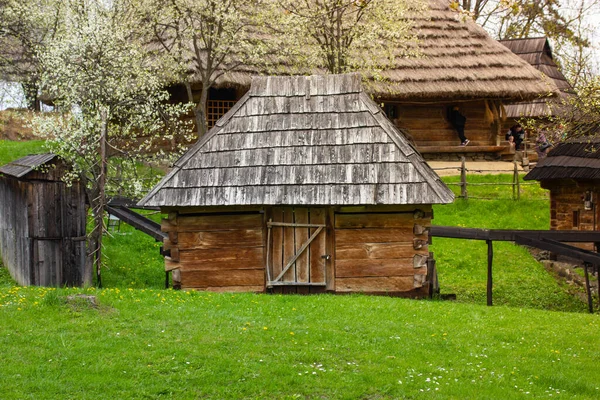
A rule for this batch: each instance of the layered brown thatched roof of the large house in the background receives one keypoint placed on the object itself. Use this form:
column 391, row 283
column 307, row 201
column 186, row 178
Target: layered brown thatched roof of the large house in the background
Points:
column 459, row 61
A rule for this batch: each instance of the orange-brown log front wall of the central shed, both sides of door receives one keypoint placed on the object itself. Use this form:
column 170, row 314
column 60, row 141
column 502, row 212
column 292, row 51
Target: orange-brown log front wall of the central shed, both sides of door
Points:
column 375, row 250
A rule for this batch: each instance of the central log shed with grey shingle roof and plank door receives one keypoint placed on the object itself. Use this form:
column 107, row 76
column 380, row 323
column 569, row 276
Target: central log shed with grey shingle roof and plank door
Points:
column 303, row 186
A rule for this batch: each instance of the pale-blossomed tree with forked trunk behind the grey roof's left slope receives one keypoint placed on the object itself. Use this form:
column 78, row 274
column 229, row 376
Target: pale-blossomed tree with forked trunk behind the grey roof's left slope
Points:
column 206, row 39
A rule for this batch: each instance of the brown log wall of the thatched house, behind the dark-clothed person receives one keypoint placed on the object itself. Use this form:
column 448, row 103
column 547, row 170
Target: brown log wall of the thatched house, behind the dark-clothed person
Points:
column 429, row 125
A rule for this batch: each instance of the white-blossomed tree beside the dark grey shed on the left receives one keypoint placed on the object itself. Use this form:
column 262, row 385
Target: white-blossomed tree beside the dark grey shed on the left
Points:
column 113, row 104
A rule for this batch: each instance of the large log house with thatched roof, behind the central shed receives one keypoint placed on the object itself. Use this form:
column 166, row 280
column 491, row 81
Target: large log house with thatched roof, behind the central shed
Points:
column 459, row 64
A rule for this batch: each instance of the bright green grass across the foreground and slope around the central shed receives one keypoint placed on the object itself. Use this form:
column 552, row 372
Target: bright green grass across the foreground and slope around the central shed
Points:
column 136, row 340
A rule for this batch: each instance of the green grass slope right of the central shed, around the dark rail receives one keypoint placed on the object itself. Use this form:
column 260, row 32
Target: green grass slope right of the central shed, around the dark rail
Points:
column 519, row 280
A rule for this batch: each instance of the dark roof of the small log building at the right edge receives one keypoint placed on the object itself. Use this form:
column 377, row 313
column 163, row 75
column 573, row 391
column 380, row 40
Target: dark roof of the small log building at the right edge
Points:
column 575, row 159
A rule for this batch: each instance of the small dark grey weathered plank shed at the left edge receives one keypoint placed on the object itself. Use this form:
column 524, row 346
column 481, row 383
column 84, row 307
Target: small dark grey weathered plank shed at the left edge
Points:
column 42, row 223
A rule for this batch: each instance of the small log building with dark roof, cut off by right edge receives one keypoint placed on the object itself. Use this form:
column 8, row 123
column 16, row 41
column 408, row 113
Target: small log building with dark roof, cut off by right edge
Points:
column 571, row 172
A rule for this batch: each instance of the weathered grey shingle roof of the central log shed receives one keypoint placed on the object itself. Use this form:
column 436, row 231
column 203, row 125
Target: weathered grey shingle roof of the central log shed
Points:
column 317, row 140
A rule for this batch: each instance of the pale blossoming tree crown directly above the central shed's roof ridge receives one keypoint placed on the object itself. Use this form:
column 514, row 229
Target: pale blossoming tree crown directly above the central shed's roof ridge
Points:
column 348, row 35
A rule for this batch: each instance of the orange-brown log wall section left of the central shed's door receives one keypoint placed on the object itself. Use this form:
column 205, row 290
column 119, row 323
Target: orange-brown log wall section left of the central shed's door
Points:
column 216, row 252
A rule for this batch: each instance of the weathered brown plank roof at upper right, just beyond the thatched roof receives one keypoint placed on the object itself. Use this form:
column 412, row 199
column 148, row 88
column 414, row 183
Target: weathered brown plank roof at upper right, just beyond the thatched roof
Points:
column 537, row 52
